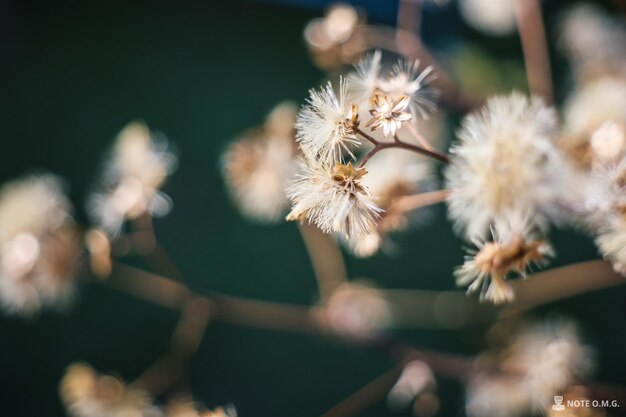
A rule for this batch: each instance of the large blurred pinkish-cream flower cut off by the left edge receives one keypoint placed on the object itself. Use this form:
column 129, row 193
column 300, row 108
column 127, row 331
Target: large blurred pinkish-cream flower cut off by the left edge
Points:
column 39, row 247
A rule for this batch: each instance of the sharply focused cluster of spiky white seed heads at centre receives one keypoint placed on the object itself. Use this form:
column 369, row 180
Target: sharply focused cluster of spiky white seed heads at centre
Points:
column 331, row 188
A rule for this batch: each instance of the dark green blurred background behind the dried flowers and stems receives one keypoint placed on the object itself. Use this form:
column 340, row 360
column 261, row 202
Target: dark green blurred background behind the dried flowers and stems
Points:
column 72, row 75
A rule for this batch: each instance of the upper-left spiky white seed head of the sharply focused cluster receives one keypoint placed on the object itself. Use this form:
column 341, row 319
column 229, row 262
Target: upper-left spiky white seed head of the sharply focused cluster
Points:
column 325, row 126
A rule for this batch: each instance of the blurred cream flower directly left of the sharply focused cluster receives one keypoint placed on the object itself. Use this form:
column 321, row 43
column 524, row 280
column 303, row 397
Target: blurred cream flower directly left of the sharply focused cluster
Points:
column 260, row 164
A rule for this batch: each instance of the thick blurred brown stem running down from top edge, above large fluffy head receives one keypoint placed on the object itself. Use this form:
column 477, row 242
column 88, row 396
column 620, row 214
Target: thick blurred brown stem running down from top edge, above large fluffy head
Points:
column 533, row 36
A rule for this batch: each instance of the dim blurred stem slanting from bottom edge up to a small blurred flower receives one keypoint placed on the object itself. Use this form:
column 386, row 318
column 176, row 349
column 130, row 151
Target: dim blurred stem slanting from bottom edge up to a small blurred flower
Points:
column 366, row 396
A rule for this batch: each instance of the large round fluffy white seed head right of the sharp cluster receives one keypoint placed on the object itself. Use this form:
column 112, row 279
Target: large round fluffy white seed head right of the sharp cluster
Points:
column 505, row 166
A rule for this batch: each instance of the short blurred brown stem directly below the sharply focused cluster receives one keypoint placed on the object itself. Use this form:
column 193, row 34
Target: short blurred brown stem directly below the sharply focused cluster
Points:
column 326, row 258
